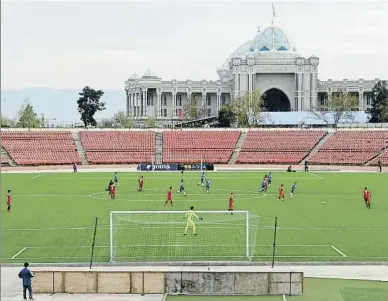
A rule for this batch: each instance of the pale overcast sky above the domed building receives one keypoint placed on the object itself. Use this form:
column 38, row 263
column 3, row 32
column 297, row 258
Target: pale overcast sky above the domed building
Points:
column 67, row 45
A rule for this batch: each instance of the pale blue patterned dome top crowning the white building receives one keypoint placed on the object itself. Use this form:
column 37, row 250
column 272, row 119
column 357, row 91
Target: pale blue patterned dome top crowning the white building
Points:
column 272, row 38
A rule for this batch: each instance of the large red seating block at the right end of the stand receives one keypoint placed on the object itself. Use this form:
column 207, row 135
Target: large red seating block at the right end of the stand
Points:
column 351, row 147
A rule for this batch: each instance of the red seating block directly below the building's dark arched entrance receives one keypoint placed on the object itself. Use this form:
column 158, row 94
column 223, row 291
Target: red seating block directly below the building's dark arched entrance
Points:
column 281, row 146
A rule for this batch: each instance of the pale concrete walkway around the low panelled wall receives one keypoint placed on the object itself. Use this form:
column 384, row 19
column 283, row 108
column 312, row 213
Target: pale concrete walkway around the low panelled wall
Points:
column 11, row 285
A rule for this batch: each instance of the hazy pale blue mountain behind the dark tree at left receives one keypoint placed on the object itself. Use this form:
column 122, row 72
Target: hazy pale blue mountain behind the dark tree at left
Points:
column 60, row 104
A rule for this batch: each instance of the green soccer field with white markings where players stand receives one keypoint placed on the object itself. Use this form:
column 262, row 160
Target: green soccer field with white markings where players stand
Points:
column 53, row 215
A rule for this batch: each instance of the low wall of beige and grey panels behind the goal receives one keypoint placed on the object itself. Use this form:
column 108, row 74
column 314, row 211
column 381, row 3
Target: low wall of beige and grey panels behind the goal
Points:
column 192, row 283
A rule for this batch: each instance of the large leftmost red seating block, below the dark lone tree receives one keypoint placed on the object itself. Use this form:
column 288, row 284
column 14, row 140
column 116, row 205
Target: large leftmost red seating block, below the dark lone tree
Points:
column 39, row 147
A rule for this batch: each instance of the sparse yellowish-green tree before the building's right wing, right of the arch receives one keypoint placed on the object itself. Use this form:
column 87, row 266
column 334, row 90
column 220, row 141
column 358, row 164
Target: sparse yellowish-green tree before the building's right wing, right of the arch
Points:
column 337, row 109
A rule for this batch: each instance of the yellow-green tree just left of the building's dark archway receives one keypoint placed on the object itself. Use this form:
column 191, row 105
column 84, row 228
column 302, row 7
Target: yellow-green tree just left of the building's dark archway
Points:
column 248, row 108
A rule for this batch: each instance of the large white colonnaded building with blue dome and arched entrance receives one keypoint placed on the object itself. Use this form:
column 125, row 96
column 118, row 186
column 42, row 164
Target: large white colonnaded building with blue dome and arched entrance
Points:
column 269, row 62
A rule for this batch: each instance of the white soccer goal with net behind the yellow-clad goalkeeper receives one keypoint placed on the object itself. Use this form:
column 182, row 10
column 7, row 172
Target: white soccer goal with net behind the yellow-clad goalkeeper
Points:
column 159, row 236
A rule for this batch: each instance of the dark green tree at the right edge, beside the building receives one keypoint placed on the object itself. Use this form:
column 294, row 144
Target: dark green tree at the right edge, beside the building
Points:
column 379, row 110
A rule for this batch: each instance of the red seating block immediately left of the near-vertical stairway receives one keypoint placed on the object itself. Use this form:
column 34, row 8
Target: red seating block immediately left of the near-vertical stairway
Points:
column 118, row 147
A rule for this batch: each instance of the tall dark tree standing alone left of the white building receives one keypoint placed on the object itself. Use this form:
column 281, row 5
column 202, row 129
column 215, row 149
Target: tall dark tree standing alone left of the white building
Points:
column 88, row 104
